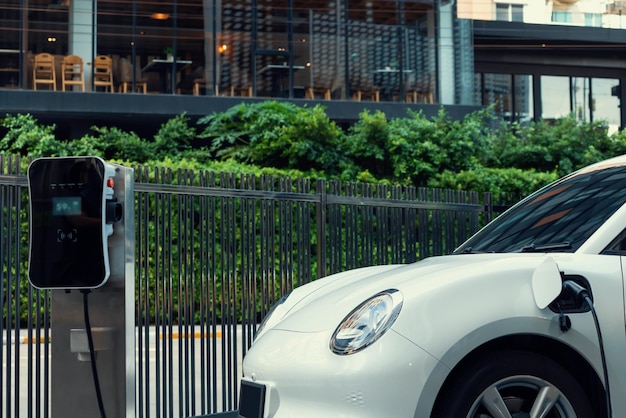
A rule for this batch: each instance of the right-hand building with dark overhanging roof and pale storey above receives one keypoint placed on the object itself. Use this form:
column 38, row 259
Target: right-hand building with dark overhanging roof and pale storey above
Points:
column 547, row 59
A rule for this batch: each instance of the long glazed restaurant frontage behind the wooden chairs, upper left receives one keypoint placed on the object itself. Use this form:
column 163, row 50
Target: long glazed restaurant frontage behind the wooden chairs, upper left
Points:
column 382, row 49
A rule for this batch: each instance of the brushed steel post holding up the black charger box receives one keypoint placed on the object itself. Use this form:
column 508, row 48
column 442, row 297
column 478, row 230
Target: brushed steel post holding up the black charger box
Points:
column 111, row 310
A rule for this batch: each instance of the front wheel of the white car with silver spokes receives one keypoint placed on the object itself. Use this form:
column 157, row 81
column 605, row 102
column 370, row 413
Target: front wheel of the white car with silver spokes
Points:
column 513, row 384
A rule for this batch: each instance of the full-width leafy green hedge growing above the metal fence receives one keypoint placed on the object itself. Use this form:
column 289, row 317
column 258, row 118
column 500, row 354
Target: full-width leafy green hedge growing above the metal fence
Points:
column 477, row 153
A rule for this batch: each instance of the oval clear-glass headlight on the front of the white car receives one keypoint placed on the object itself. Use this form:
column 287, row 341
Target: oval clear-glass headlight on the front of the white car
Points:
column 367, row 322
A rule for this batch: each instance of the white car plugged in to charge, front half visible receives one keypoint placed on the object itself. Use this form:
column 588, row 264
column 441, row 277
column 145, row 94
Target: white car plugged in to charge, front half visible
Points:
column 524, row 319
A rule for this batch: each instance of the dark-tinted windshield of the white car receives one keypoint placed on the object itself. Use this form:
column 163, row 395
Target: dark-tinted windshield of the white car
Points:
column 560, row 217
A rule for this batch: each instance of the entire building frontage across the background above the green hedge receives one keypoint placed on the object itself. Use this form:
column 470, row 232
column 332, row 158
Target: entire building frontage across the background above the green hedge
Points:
column 532, row 58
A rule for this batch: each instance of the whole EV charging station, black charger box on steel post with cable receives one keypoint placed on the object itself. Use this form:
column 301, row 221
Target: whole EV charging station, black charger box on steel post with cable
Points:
column 82, row 248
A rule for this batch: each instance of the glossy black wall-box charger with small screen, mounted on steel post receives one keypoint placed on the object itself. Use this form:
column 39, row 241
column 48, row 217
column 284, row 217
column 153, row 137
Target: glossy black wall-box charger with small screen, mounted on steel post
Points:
column 67, row 240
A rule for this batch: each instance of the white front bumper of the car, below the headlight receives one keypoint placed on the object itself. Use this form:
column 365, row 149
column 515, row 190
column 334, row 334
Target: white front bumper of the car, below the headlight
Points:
column 296, row 375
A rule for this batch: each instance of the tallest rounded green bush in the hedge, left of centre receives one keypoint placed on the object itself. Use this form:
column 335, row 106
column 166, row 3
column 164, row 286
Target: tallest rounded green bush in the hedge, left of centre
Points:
column 276, row 134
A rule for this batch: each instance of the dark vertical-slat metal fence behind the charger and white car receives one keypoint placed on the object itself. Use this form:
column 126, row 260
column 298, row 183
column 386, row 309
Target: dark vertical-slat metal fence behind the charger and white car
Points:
column 213, row 253
